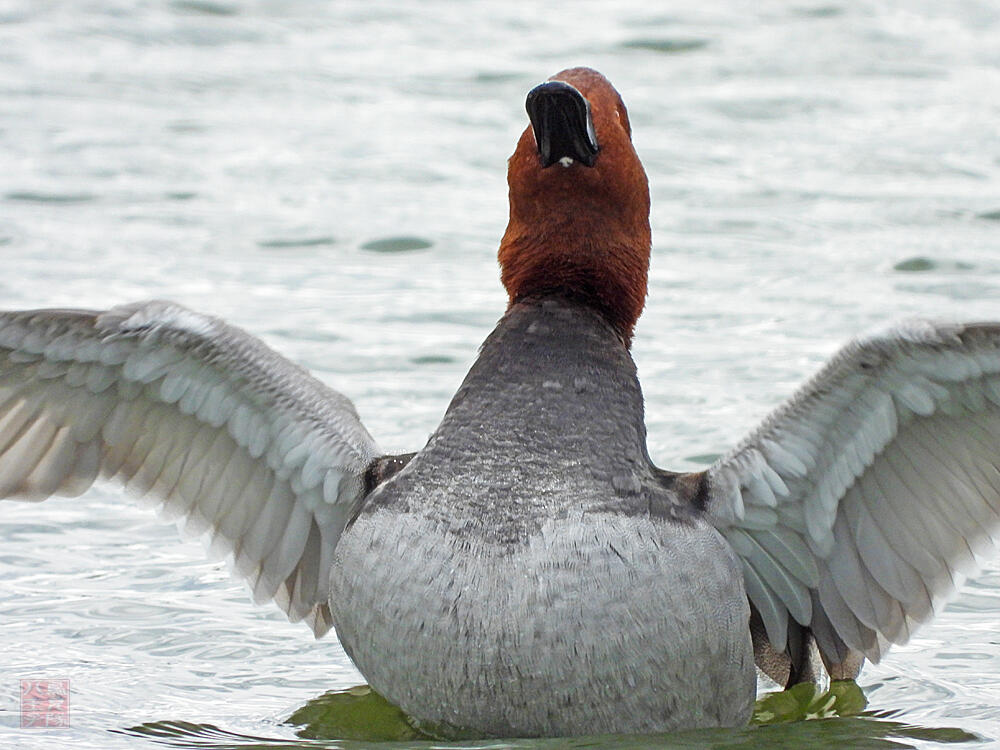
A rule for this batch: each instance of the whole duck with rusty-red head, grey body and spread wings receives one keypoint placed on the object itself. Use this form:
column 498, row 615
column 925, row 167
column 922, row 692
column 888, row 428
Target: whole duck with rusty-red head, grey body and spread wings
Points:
column 530, row 571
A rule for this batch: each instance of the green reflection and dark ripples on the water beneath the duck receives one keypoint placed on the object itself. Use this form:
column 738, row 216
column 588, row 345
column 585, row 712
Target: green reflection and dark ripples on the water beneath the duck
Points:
column 359, row 717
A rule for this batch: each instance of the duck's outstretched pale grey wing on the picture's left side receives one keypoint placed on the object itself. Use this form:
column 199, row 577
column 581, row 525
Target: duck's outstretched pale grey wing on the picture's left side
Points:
column 197, row 414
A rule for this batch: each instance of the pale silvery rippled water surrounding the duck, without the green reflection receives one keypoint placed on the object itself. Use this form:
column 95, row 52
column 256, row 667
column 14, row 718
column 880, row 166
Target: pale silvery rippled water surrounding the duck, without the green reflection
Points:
column 816, row 168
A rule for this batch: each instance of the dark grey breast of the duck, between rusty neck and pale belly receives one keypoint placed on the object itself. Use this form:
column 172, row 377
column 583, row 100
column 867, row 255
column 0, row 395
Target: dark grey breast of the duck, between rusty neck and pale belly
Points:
column 548, row 422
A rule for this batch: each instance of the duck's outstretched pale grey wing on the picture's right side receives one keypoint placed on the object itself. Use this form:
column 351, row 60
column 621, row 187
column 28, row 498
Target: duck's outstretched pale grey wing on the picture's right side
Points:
column 859, row 505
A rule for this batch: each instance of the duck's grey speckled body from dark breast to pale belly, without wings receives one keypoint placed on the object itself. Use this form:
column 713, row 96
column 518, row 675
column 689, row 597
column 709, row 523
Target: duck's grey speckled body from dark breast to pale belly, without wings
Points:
column 530, row 572
